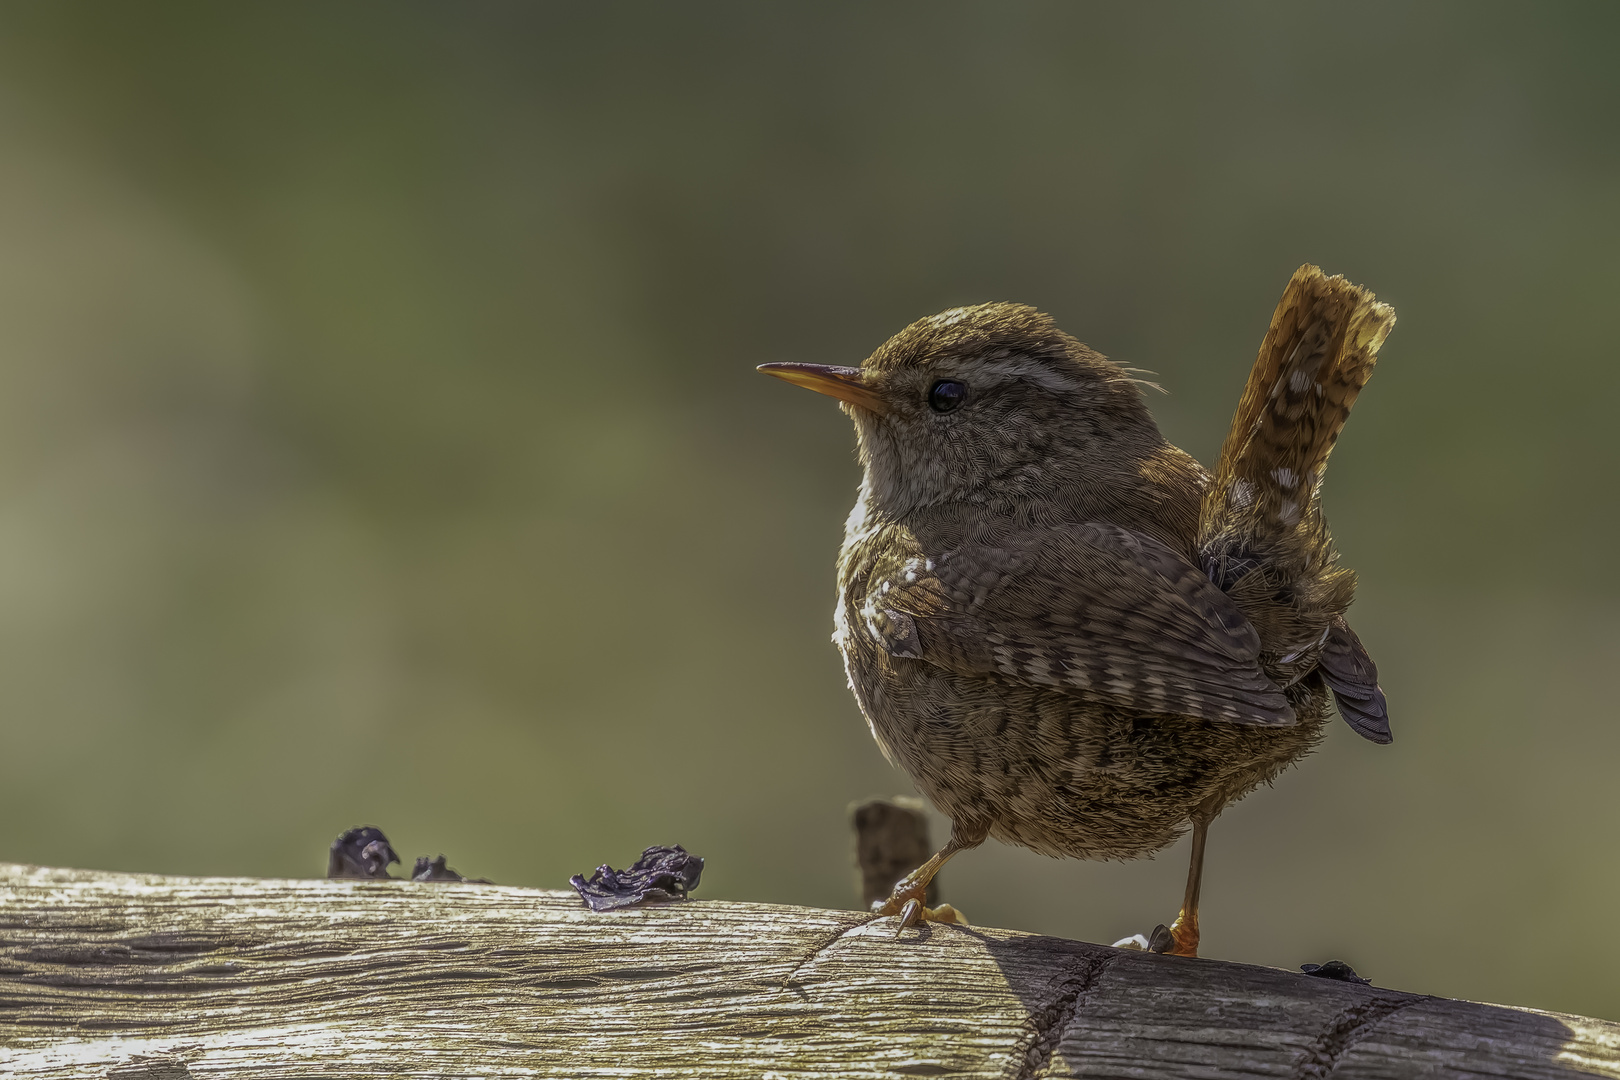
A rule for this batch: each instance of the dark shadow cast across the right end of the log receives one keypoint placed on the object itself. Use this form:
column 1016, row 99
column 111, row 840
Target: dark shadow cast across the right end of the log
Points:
column 1089, row 1001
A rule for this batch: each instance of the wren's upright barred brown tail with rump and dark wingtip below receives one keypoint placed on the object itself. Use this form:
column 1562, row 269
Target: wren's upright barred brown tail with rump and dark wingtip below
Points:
column 1261, row 529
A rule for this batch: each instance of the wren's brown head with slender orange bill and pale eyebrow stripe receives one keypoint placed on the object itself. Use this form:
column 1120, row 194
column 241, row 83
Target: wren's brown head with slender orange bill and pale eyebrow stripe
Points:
column 984, row 404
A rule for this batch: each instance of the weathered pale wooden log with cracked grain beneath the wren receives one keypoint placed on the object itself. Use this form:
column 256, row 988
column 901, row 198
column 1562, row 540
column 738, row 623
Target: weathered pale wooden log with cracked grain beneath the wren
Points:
column 163, row 979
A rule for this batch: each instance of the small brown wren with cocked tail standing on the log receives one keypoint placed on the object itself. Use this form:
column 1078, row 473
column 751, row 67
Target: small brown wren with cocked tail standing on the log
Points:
column 1070, row 634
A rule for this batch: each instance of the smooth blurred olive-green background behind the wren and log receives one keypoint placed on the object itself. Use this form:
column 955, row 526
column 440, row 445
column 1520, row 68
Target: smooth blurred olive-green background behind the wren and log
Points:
column 380, row 438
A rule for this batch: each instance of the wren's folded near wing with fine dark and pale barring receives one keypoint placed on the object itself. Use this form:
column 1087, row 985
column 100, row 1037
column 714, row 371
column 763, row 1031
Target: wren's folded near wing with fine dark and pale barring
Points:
column 1099, row 611
